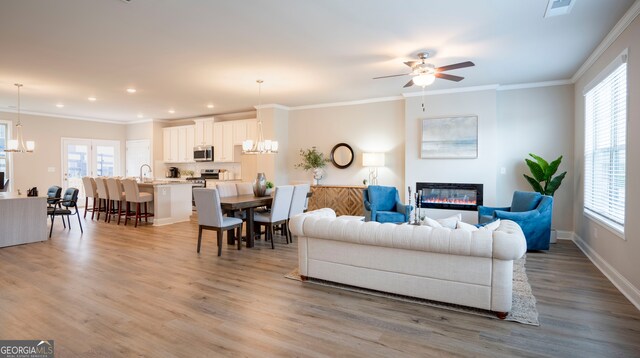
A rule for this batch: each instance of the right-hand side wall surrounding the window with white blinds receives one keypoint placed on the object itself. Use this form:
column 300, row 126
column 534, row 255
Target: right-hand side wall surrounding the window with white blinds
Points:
column 617, row 257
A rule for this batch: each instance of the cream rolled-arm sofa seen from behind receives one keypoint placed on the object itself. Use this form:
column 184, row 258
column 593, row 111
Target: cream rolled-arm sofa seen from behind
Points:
column 449, row 265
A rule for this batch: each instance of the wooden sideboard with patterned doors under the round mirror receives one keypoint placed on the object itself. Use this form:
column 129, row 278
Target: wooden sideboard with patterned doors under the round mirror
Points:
column 343, row 199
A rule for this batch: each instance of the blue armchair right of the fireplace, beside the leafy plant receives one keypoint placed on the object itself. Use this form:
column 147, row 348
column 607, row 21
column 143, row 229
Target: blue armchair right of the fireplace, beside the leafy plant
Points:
column 531, row 210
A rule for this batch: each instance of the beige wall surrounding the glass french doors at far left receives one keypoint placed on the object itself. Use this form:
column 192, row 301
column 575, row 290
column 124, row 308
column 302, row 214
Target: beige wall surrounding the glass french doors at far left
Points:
column 31, row 169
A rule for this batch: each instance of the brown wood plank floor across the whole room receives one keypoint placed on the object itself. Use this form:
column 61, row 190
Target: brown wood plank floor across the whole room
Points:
column 117, row 291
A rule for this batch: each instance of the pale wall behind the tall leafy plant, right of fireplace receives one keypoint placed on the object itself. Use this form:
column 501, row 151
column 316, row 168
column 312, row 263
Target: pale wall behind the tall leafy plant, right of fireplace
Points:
column 540, row 121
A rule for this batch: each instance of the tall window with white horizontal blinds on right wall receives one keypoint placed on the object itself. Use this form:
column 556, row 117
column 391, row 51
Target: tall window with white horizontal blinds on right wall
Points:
column 605, row 145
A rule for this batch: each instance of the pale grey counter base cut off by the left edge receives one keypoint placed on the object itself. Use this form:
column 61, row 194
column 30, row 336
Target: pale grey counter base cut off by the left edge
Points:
column 23, row 219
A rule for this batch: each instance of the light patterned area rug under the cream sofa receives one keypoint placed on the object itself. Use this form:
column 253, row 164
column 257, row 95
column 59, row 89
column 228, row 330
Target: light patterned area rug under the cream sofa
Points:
column 523, row 308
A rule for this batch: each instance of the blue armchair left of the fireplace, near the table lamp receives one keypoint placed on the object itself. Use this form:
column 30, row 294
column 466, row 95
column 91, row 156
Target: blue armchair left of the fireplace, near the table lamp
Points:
column 382, row 204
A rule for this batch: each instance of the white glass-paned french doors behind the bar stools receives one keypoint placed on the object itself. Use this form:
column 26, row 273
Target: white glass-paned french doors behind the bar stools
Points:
column 88, row 157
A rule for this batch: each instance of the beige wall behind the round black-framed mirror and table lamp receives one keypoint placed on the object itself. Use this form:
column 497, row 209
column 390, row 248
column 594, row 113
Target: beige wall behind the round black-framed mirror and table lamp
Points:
column 373, row 127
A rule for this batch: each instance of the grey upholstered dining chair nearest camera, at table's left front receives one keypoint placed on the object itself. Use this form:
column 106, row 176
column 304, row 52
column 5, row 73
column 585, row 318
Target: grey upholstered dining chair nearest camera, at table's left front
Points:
column 210, row 216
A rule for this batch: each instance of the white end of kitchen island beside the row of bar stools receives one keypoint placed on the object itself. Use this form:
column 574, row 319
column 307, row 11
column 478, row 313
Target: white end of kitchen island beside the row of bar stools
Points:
column 171, row 200
